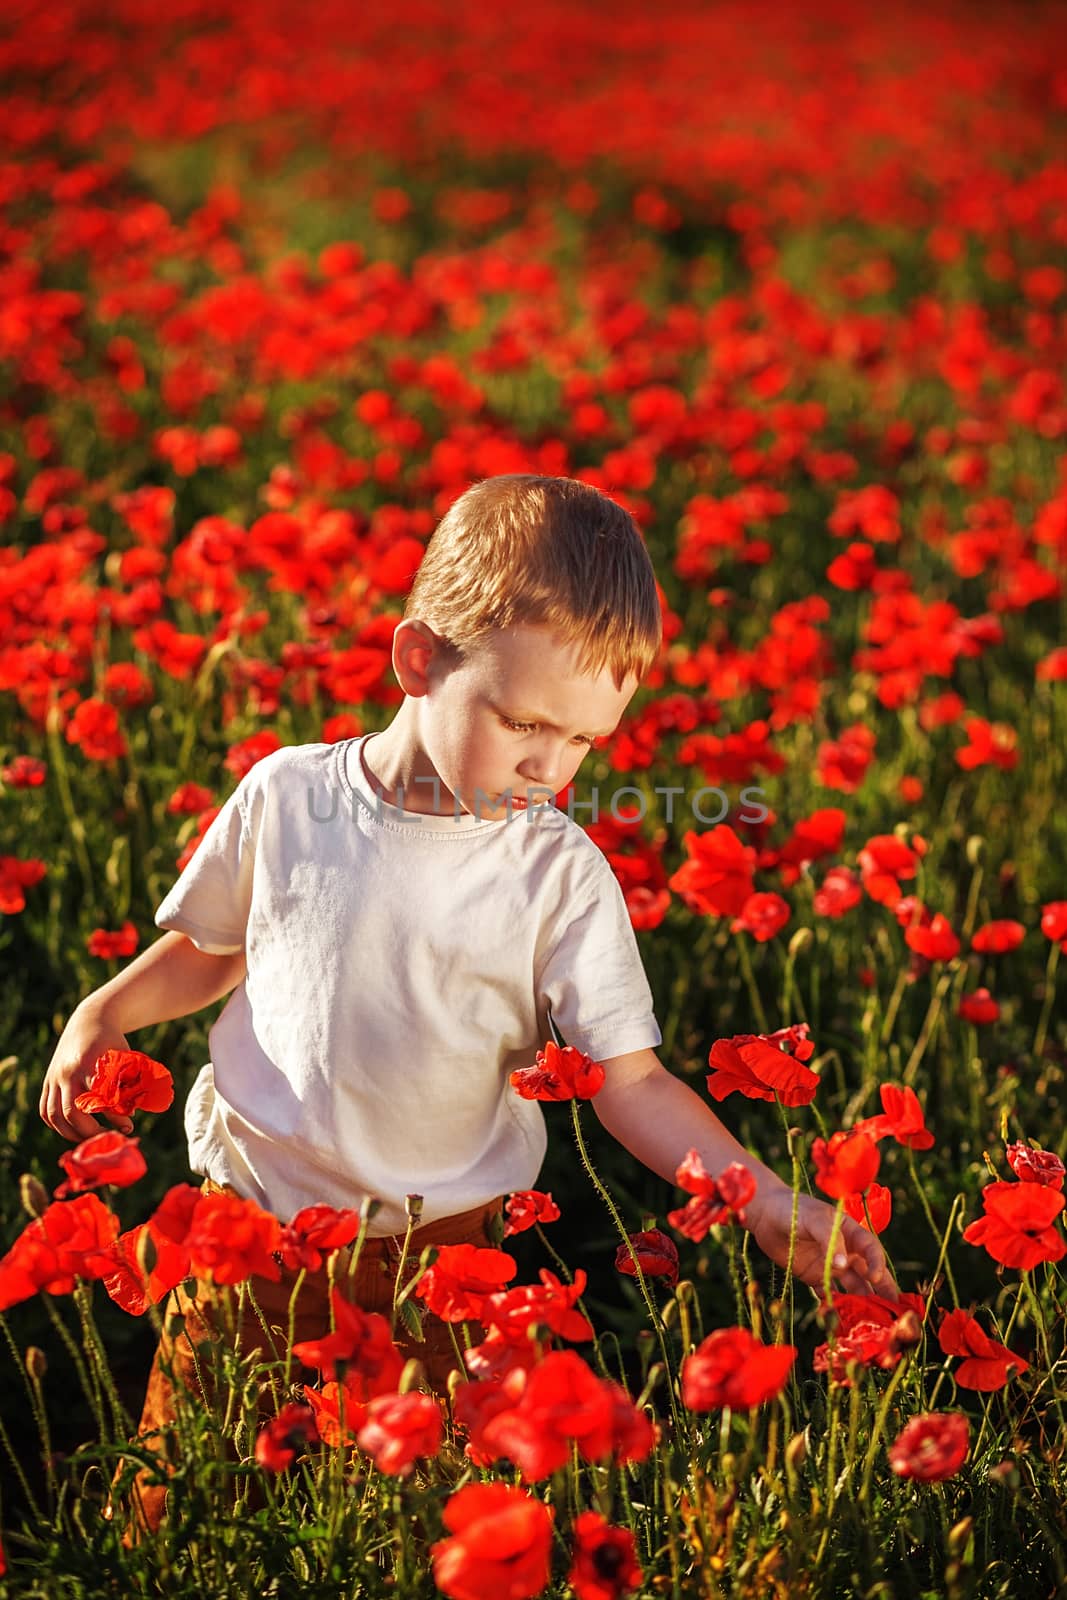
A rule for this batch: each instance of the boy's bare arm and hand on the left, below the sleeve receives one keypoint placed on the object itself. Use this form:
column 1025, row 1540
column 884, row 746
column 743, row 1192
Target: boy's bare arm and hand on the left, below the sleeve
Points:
column 172, row 978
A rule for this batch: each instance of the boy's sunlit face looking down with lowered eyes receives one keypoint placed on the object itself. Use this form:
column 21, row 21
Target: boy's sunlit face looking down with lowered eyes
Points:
column 518, row 714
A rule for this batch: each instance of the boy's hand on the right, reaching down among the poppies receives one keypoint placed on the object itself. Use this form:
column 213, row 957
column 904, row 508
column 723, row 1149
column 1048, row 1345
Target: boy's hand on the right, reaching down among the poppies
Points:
column 860, row 1265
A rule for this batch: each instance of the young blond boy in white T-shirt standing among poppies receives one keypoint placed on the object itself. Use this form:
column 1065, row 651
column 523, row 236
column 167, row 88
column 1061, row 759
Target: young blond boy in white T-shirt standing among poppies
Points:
column 398, row 914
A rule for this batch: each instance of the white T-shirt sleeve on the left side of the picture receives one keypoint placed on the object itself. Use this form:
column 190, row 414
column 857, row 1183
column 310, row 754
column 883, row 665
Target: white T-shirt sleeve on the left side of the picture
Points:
column 212, row 898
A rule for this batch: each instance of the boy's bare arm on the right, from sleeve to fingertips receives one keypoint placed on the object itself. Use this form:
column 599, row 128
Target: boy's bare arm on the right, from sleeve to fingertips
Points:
column 660, row 1119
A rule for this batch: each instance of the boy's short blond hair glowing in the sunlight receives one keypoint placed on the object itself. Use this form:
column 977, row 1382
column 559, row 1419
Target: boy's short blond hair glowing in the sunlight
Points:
column 543, row 551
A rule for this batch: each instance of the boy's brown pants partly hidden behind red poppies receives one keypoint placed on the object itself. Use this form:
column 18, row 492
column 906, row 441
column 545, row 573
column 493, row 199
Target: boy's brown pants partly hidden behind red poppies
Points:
column 370, row 1287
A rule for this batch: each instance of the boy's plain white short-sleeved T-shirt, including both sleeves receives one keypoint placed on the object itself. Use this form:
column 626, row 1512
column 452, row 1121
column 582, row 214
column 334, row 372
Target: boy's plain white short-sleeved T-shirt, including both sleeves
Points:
column 399, row 969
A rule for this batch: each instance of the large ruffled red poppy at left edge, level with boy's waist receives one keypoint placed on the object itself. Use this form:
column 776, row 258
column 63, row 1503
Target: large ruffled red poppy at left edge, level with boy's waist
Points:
column 70, row 1241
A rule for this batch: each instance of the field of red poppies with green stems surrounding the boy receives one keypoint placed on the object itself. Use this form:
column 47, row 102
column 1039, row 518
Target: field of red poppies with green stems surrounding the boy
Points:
column 274, row 290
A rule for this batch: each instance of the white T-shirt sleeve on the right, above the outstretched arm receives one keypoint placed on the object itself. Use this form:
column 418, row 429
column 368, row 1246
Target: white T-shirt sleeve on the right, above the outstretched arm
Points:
column 593, row 975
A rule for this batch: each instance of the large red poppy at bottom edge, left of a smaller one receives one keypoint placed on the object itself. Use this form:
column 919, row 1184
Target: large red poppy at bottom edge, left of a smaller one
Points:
column 500, row 1546
